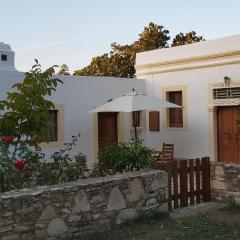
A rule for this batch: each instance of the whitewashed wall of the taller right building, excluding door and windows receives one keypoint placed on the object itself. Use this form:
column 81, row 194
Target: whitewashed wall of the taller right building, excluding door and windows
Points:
column 194, row 141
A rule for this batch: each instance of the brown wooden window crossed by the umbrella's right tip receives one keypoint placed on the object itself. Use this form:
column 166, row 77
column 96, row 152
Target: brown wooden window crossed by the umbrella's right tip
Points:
column 175, row 114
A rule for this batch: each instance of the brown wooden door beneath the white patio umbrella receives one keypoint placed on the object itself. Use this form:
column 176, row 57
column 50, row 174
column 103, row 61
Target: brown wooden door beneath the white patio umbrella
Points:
column 107, row 129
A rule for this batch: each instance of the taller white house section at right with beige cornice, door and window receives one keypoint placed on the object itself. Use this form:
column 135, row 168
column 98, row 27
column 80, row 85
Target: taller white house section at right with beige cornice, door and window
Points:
column 205, row 78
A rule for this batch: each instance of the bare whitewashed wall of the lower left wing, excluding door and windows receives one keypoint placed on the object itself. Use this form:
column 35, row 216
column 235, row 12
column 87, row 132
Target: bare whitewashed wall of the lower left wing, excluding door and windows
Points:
column 79, row 95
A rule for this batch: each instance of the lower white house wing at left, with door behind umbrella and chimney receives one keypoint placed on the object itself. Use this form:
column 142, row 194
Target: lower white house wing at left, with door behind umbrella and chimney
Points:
column 73, row 100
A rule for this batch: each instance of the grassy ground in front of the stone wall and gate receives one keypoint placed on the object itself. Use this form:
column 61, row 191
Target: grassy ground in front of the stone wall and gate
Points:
column 160, row 226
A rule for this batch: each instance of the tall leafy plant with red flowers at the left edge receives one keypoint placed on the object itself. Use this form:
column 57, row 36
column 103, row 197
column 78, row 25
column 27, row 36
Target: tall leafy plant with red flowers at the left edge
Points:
column 24, row 119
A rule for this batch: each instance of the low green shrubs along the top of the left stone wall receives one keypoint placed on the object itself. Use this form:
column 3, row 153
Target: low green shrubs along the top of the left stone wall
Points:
column 37, row 171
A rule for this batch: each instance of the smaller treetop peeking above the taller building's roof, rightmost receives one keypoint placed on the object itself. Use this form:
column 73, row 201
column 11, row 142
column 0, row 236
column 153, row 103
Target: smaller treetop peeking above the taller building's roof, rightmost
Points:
column 187, row 38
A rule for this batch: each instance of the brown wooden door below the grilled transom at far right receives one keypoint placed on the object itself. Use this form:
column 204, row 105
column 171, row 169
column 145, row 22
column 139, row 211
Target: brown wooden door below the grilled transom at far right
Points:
column 228, row 135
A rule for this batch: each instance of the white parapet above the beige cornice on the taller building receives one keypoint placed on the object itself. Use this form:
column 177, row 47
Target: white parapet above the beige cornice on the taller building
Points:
column 209, row 47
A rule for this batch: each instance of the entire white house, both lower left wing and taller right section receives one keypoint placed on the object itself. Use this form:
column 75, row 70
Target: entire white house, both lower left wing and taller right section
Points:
column 202, row 77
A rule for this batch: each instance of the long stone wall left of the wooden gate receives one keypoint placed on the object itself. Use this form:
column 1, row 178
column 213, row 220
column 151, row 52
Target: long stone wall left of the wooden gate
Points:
column 78, row 208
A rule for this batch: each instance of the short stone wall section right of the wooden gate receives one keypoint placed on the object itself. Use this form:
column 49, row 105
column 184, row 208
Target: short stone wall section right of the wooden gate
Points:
column 225, row 182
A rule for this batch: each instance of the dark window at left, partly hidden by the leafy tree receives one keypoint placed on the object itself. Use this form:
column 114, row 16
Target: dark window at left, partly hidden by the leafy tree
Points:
column 53, row 126
